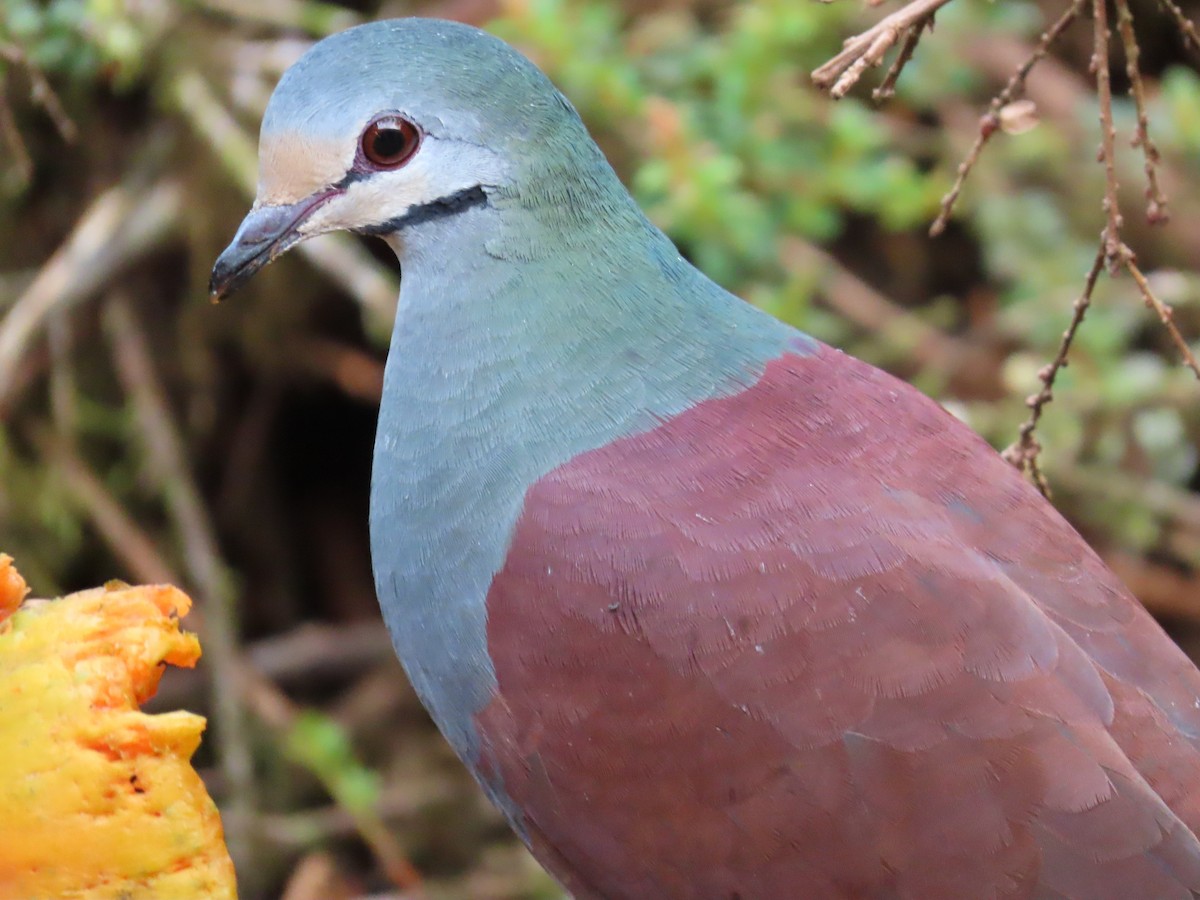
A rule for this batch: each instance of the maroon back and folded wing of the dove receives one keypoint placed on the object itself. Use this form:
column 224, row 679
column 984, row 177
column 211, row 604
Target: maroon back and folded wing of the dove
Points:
column 817, row 640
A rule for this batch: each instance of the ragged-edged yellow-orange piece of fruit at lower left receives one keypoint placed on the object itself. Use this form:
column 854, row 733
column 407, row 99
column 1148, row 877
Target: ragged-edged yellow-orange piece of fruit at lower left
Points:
column 98, row 800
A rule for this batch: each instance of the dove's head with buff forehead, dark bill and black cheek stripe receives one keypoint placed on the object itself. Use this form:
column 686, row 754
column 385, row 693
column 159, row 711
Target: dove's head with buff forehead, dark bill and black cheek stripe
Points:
column 387, row 127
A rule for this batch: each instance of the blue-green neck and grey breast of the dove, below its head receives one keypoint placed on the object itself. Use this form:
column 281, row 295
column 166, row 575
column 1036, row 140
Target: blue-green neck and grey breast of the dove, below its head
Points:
column 517, row 349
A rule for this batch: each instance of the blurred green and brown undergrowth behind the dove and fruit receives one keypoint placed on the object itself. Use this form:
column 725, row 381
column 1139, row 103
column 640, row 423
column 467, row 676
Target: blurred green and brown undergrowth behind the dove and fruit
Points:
column 149, row 436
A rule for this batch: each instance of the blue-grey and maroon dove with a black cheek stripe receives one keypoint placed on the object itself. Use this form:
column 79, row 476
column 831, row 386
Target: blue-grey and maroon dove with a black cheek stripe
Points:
column 710, row 609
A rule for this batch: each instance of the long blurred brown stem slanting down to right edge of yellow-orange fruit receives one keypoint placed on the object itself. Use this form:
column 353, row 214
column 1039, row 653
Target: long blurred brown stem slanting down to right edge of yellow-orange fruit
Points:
column 169, row 460
